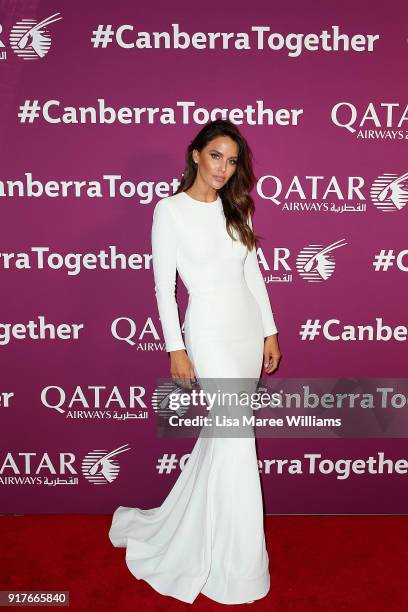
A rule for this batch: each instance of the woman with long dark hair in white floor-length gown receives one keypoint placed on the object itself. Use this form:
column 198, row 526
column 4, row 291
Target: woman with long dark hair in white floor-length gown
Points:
column 208, row 534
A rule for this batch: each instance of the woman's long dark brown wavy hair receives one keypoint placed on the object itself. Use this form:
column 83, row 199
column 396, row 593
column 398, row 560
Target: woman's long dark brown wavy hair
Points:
column 236, row 199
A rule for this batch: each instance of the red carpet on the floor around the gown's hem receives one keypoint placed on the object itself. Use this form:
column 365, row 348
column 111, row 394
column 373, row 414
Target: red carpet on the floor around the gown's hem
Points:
column 317, row 563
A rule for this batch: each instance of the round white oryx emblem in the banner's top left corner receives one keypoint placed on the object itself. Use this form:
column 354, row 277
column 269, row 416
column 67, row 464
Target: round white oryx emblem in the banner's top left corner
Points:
column 31, row 39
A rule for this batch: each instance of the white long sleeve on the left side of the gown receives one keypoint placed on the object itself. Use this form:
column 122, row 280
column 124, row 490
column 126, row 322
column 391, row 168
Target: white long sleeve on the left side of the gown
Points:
column 164, row 253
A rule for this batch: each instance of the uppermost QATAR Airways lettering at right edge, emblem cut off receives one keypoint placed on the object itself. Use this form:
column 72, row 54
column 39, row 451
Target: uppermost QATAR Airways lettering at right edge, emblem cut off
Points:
column 376, row 121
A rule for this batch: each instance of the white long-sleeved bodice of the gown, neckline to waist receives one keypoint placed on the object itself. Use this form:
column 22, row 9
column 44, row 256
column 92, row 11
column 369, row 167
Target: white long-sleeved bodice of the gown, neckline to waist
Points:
column 190, row 236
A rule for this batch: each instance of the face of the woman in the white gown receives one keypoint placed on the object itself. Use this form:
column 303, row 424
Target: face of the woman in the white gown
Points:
column 217, row 161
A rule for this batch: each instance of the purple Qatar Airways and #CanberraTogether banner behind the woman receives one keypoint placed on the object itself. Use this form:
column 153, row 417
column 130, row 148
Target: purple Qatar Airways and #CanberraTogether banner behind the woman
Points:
column 98, row 102
